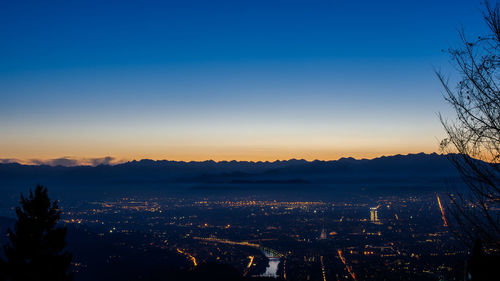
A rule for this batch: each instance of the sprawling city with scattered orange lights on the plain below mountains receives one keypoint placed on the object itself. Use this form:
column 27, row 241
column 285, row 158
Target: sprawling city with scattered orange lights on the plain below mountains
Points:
column 403, row 237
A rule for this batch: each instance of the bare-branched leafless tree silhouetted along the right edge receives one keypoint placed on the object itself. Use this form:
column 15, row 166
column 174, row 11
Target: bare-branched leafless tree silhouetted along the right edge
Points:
column 474, row 134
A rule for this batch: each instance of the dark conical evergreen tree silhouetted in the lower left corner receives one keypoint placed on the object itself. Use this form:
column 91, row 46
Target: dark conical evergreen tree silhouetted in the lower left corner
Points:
column 35, row 251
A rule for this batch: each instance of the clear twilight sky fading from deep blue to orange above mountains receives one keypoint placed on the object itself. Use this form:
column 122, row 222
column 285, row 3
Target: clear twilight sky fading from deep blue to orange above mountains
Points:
column 225, row 80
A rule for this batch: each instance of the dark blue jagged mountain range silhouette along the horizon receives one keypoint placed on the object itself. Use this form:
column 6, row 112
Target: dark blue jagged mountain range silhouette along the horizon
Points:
column 412, row 171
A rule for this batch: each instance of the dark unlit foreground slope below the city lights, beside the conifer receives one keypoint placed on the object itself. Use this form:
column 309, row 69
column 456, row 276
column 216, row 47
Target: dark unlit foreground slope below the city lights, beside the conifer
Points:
column 126, row 257
